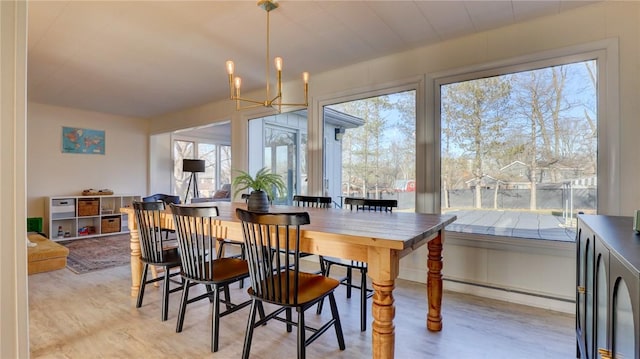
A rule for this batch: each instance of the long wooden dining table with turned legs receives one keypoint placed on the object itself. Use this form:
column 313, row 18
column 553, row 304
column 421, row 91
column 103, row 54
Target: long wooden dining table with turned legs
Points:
column 380, row 239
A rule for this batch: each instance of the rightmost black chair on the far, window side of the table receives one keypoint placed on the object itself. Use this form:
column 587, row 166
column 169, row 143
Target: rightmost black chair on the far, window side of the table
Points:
column 359, row 204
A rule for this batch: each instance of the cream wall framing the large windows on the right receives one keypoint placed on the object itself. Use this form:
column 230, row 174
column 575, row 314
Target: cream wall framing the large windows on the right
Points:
column 543, row 271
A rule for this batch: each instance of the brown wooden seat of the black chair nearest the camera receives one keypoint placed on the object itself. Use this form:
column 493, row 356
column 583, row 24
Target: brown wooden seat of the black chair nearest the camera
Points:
column 311, row 287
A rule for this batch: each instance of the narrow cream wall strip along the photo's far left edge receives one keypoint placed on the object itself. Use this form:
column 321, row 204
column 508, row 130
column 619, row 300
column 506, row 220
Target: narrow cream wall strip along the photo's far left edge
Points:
column 14, row 304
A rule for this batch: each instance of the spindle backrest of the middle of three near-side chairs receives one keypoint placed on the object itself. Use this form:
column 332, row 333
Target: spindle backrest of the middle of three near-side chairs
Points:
column 197, row 230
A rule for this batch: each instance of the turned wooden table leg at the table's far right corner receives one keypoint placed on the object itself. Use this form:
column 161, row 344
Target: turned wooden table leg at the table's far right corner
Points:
column 434, row 283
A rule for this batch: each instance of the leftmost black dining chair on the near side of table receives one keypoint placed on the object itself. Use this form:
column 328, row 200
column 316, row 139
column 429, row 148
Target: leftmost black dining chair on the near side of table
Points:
column 154, row 251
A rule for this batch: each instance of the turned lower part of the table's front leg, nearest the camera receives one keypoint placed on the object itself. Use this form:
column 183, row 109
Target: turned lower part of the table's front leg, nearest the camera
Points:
column 384, row 311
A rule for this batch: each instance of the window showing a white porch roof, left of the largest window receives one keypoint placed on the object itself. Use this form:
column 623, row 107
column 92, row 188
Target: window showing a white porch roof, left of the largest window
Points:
column 370, row 148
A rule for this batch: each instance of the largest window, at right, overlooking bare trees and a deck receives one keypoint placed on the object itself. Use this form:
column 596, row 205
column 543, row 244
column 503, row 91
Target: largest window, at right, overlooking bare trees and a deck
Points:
column 519, row 150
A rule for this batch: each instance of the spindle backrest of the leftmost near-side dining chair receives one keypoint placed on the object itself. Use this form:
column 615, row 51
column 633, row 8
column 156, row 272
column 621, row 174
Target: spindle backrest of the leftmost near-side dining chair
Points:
column 149, row 217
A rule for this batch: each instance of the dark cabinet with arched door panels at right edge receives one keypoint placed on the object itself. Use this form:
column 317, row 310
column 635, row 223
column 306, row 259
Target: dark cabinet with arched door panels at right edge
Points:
column 608, row 287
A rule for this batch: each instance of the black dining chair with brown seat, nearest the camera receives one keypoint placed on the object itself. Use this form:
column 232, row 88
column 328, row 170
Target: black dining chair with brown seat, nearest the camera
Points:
column 283, row 284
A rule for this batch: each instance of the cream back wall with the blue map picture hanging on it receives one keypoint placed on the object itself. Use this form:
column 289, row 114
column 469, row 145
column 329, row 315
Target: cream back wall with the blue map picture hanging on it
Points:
column 123, row 168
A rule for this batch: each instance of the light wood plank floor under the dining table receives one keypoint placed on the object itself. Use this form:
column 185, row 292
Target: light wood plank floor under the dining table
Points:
column 93, row 316
